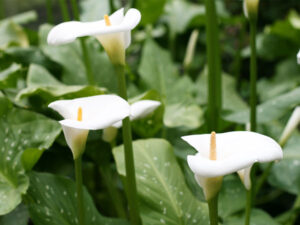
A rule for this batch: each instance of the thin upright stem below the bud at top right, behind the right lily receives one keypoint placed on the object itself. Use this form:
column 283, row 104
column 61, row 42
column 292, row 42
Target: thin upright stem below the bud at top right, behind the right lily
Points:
column 253, row 75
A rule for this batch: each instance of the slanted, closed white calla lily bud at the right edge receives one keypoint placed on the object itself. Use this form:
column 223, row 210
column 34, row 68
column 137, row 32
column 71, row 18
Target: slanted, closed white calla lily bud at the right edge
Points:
column 290, row 126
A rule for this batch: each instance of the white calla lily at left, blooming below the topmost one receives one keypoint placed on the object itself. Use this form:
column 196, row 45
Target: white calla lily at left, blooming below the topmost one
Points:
column 89, row 113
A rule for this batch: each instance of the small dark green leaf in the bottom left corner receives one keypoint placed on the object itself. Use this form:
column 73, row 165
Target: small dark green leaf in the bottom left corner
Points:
column 19, row 216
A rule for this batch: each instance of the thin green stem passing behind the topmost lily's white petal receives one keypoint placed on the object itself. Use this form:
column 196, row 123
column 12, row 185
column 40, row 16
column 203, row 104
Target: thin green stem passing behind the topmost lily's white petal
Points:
column 86, row 58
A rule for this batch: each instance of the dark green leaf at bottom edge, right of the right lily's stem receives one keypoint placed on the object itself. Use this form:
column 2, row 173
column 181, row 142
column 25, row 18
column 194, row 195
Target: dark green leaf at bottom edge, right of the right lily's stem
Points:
column 258, row 217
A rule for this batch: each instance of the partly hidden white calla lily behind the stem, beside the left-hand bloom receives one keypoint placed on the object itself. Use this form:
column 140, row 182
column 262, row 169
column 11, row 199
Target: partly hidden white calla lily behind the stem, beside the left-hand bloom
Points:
column 138, row 110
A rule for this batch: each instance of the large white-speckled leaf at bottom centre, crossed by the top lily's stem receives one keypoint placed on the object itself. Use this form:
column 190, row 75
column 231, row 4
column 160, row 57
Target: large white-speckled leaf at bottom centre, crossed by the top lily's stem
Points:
column 164, row 196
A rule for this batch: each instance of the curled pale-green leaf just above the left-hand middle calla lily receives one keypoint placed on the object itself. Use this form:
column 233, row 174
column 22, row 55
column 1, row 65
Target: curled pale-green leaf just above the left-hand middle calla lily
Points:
column 43, row 86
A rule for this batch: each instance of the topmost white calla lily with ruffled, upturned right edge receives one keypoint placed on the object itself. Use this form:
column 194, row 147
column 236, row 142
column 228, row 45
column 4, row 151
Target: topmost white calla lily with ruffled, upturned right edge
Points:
column 114, row 32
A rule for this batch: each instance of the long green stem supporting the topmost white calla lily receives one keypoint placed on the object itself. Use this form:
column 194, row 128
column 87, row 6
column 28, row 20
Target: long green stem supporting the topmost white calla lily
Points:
column 131, row 189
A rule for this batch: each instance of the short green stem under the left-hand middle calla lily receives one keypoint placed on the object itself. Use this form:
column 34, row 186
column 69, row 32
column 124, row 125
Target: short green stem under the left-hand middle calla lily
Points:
column 78, row 174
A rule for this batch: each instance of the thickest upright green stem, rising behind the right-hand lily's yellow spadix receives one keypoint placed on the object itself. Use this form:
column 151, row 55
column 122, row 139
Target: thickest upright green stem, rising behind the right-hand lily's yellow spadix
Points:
column 214, row 66
